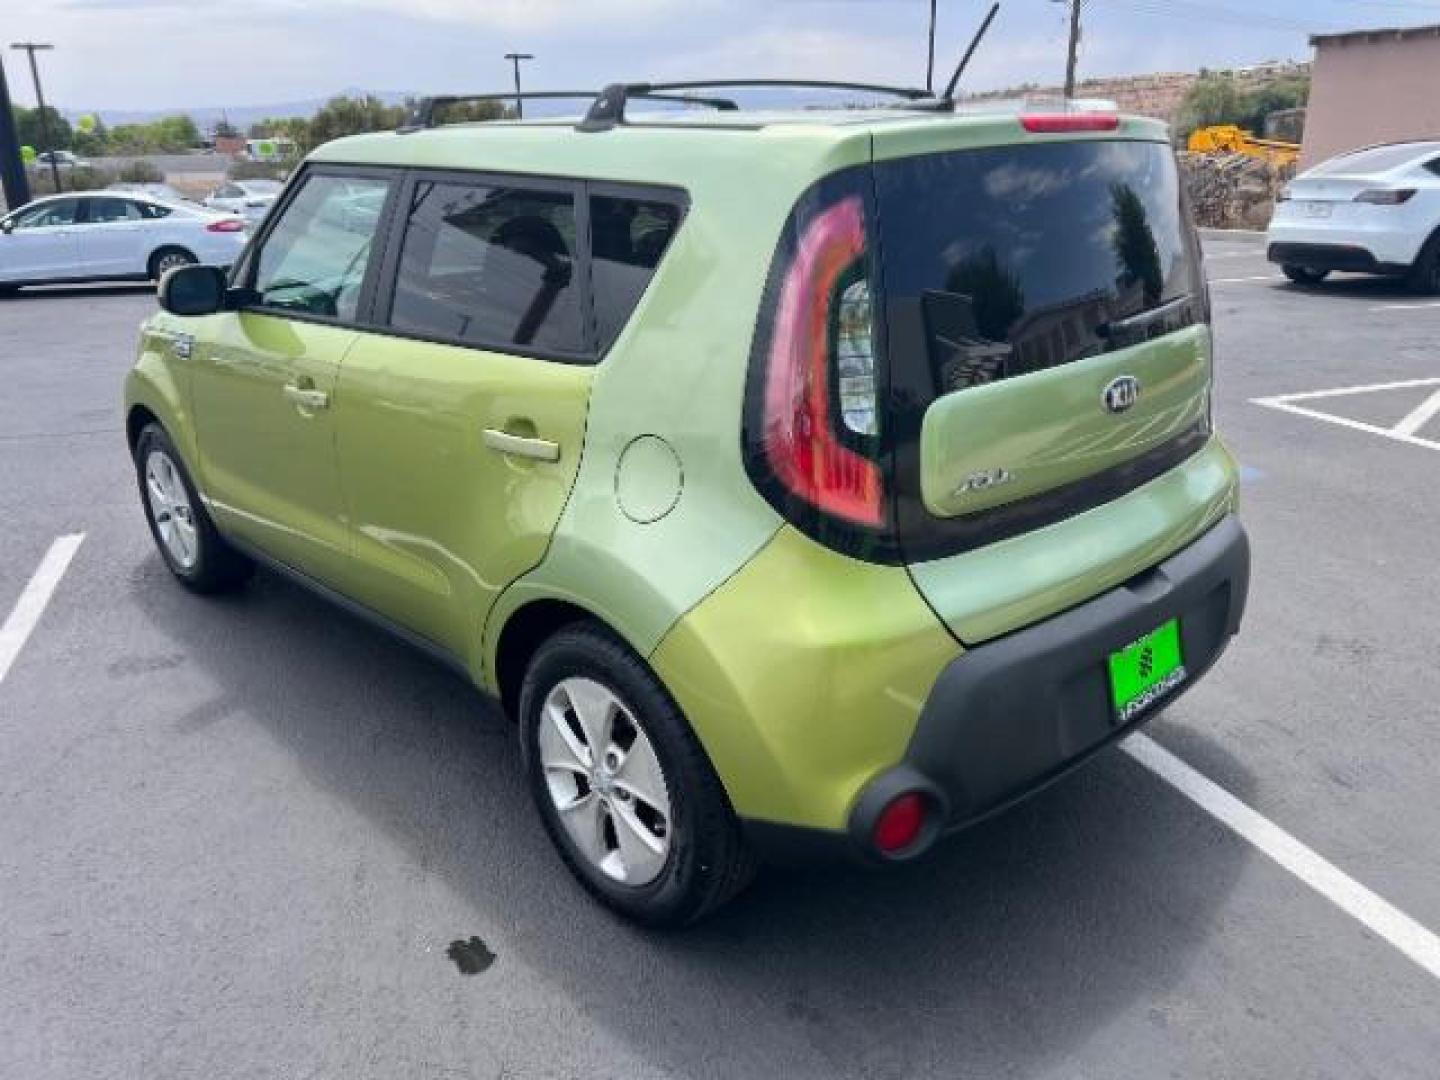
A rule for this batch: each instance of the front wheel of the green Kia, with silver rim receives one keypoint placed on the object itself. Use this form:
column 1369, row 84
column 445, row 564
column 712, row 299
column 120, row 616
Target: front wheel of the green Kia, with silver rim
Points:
column 188, row 541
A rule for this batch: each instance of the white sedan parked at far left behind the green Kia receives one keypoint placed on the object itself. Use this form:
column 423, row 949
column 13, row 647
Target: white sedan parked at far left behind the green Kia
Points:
column 112, row 237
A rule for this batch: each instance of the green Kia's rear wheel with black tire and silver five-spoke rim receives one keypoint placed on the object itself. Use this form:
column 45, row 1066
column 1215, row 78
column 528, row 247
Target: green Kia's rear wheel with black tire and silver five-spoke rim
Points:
column 705, row 860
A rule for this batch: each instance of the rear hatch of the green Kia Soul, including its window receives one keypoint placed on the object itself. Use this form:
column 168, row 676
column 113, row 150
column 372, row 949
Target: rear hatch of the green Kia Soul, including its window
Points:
column 1046, row 326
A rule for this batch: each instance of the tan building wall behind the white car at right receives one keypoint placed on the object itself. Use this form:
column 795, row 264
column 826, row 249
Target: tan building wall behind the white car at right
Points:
column 1372, row 87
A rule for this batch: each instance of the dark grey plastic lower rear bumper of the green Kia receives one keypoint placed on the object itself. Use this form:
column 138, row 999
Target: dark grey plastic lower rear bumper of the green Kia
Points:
column 1014, row 715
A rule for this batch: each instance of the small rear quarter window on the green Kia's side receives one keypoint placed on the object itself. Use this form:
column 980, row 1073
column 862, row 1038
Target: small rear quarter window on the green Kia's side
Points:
column 629, row 238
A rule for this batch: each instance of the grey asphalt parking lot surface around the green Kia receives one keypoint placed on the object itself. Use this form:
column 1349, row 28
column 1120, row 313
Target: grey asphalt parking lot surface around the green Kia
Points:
column 238, row 837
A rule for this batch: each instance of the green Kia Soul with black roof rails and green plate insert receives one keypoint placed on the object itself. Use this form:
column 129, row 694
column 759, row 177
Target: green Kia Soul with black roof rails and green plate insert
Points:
column 798, row 482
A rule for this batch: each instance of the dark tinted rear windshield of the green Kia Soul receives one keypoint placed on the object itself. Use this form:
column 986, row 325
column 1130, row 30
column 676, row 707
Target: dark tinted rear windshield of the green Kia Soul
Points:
column 1025, row 258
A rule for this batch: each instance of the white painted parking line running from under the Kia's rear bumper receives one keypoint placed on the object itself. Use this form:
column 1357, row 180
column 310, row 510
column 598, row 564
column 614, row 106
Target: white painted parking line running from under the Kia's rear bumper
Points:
column 1370, row 911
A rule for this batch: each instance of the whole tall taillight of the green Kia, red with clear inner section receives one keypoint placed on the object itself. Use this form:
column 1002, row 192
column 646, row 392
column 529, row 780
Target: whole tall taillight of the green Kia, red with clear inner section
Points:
column 820, row 372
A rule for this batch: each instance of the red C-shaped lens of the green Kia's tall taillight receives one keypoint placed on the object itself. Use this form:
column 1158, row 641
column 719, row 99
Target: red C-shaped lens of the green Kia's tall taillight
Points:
column 800, row 440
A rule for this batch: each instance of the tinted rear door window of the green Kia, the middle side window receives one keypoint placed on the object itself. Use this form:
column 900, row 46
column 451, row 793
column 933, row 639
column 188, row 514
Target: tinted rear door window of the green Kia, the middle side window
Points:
column 490, row 266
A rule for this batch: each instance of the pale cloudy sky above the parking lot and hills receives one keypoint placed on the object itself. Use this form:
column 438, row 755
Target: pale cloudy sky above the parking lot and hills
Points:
column 176, row 54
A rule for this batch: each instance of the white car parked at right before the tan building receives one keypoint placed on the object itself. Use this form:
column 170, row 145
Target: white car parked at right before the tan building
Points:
column 1374, row 211
